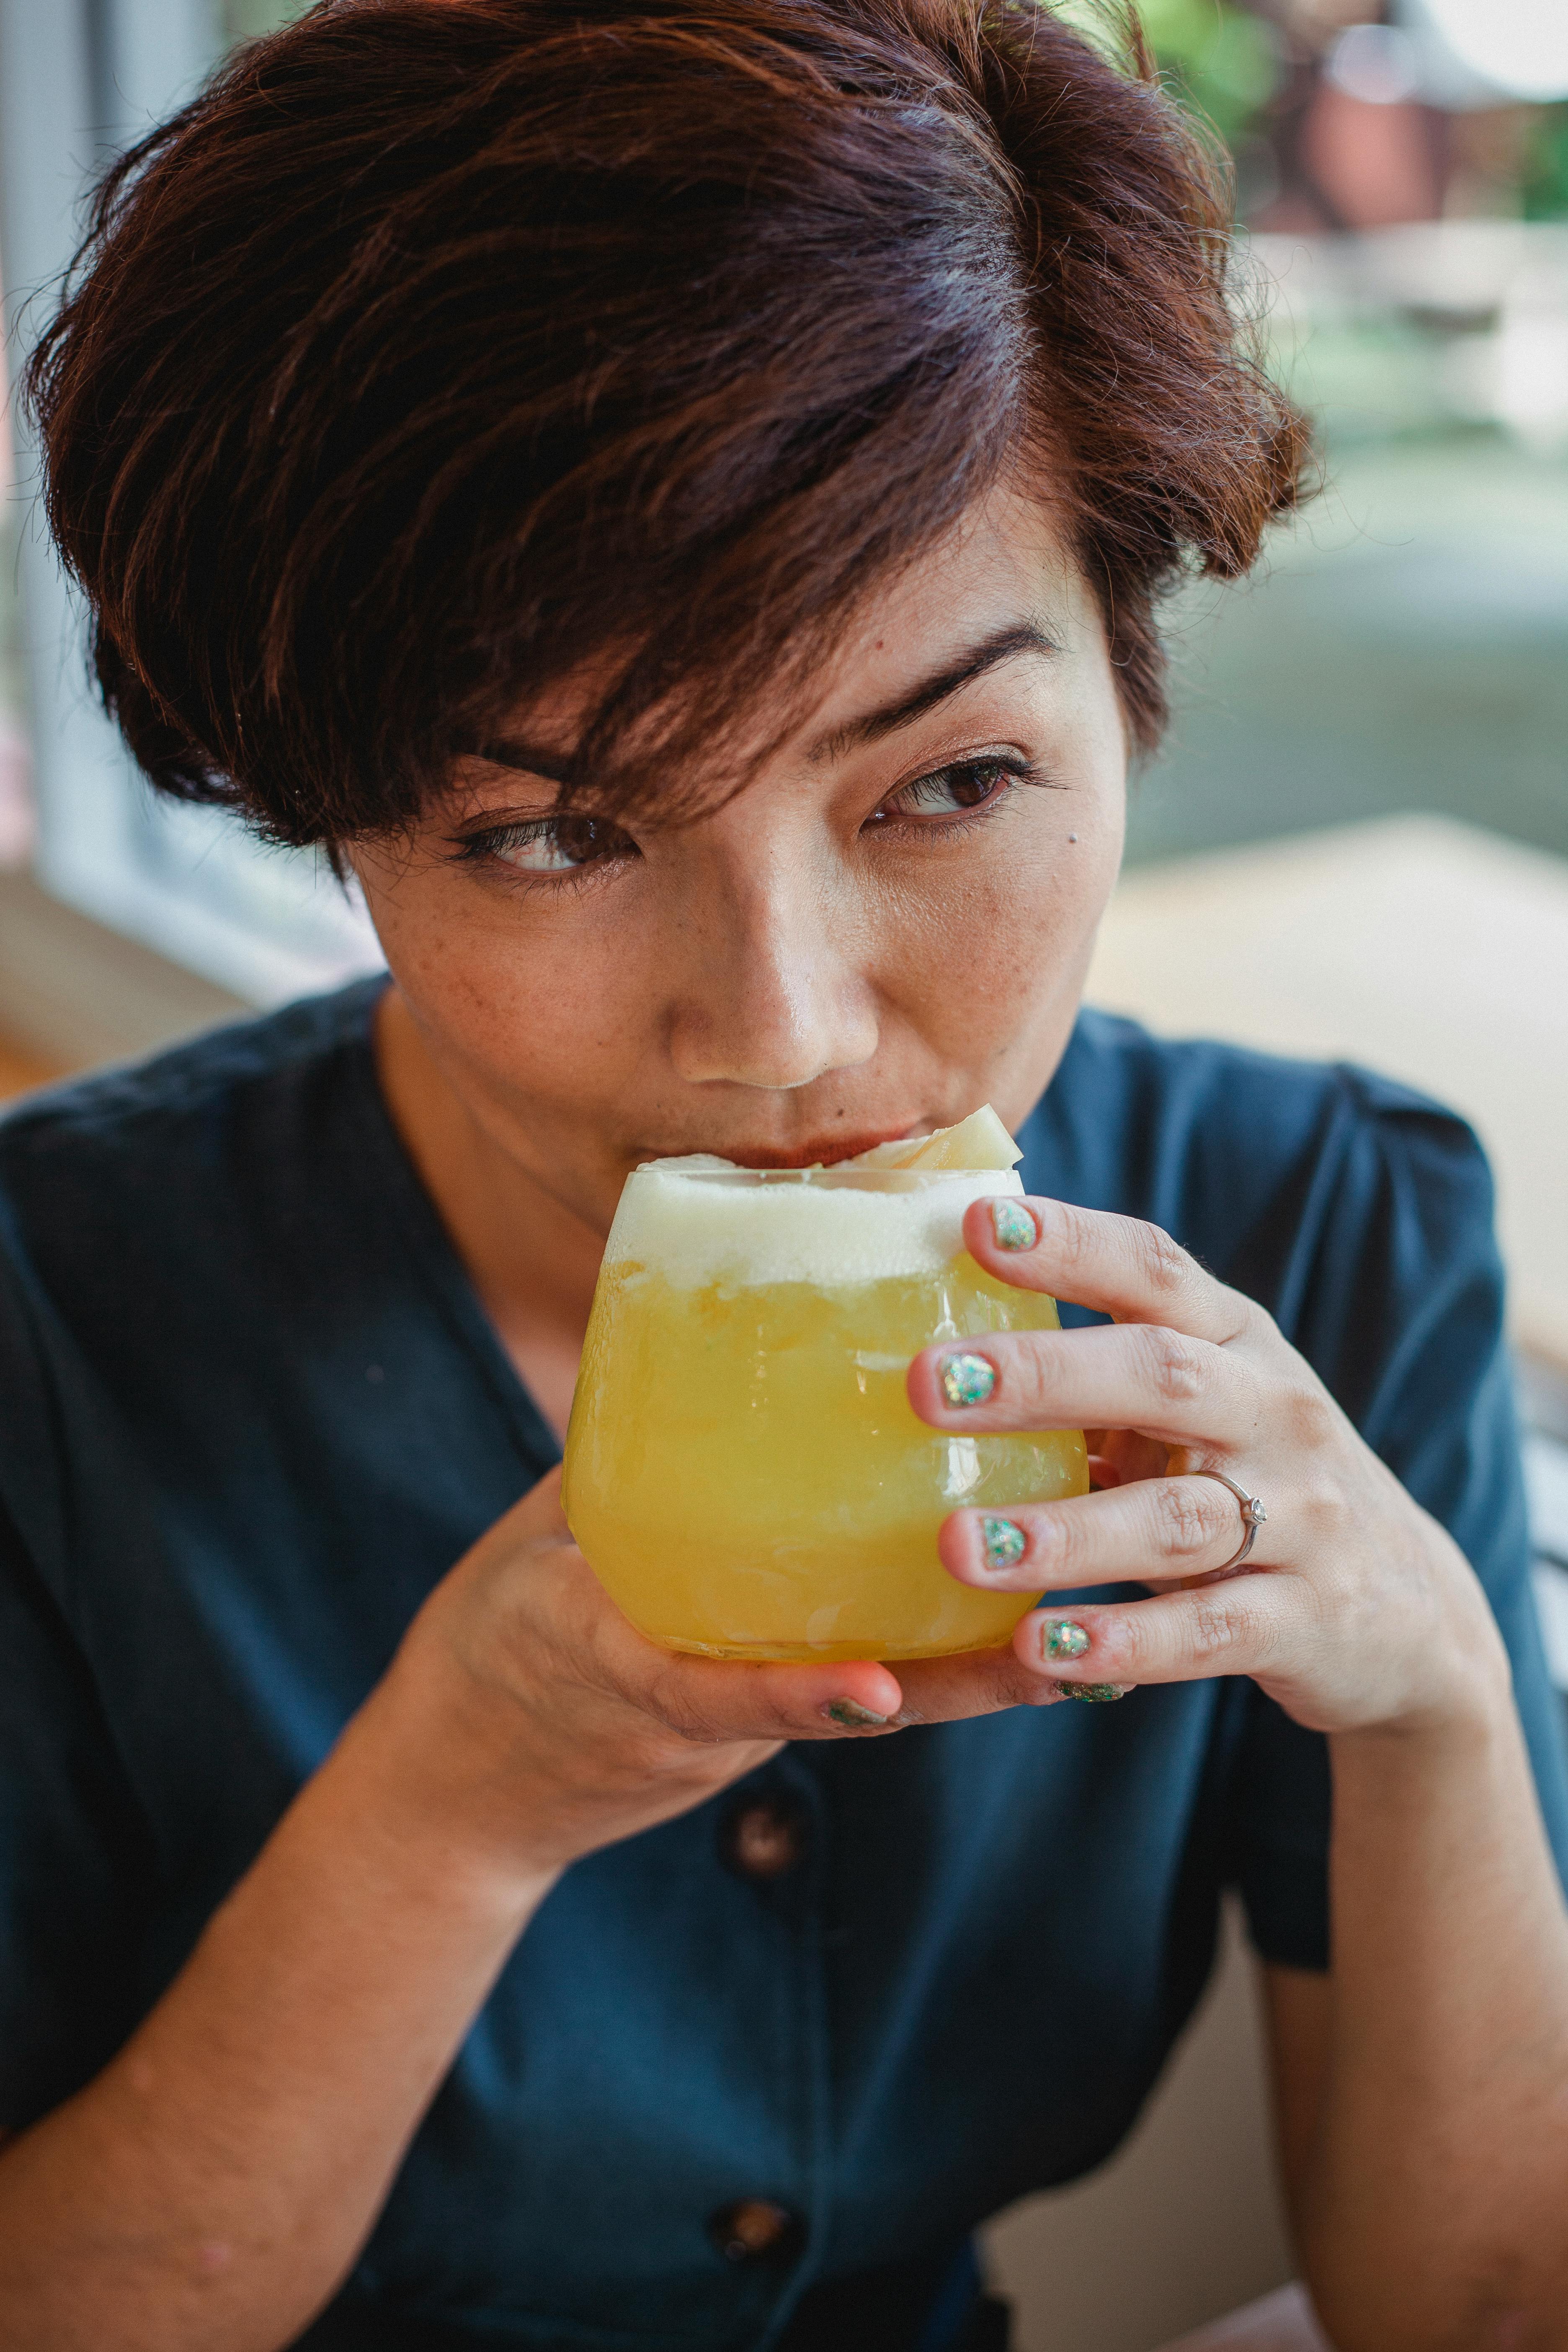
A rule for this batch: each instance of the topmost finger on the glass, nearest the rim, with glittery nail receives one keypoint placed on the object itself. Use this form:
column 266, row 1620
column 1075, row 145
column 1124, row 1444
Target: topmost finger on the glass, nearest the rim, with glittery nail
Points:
column 1115, row 1264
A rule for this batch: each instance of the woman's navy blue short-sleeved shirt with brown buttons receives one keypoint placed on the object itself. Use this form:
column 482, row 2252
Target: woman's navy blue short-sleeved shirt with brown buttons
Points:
column 253, row 1412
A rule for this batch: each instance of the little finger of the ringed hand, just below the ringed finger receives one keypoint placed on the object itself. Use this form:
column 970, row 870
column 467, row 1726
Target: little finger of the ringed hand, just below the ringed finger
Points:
column 1242, row 1626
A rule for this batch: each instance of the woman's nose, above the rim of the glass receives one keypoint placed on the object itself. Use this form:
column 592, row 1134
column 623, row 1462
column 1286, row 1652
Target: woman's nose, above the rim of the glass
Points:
column 772, row 994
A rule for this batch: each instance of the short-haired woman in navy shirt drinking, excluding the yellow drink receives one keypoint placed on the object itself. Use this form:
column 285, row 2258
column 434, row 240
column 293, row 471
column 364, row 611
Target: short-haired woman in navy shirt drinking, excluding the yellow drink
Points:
column 678, row 505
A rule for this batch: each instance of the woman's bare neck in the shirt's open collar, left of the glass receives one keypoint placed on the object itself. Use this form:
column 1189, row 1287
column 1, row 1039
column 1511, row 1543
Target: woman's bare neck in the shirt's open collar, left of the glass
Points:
column 530, row 1259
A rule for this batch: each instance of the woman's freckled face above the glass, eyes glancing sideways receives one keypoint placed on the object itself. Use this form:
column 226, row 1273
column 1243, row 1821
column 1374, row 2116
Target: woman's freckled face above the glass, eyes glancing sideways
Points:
column 885, row 930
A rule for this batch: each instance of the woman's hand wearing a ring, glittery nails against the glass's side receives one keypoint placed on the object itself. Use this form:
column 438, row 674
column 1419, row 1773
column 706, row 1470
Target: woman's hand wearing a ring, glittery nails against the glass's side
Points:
column 1355, row 1608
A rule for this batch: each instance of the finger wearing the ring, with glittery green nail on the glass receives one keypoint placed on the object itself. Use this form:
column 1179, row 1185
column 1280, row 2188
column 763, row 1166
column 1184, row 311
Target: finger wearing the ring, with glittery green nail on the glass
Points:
column 1148, row 1532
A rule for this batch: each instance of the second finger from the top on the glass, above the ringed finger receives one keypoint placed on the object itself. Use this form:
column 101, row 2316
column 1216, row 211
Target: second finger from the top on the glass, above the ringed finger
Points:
column 1141, row 1377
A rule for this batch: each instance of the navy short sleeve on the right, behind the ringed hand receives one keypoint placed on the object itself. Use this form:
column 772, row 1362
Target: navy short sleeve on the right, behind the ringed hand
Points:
column 1395, row 1295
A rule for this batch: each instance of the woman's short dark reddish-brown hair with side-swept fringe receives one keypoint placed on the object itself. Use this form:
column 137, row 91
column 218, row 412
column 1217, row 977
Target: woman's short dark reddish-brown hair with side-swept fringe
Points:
column 443, row 347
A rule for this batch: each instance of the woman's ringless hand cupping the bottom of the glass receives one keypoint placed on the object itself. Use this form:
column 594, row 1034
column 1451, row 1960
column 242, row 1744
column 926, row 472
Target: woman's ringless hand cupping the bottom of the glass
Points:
column 544, row 1725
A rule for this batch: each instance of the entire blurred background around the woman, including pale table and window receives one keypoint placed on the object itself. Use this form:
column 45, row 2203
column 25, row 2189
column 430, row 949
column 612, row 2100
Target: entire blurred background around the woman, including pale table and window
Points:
column 1355, row 841
